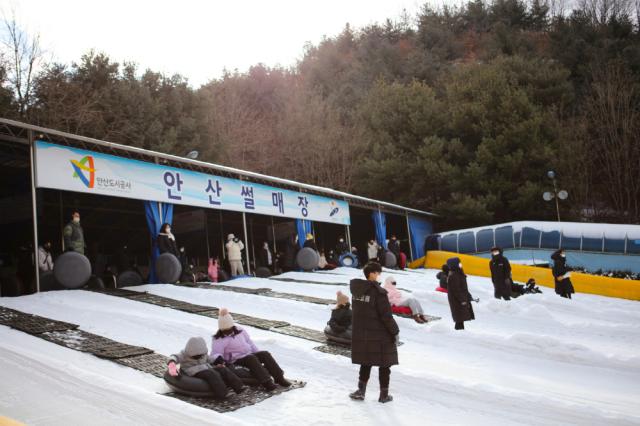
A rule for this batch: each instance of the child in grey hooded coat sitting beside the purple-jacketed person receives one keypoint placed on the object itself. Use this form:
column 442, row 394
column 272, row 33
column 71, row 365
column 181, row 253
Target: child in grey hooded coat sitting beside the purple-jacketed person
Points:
column 193, row 361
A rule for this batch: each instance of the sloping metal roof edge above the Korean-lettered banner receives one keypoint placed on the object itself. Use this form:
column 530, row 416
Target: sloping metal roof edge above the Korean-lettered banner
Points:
column 16, row 131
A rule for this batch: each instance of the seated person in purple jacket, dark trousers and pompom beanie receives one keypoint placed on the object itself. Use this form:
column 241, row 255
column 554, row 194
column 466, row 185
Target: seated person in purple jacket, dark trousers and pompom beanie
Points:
column 233, row 344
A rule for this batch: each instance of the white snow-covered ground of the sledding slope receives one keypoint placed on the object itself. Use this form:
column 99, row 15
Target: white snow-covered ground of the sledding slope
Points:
column 539, row 359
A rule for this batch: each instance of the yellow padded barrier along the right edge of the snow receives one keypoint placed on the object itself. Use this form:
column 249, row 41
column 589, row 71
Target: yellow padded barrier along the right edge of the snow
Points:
column 583, row 283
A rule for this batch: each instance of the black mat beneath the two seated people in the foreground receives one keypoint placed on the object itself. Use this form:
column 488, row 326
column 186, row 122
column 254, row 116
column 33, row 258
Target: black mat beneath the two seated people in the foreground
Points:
column 233, row 402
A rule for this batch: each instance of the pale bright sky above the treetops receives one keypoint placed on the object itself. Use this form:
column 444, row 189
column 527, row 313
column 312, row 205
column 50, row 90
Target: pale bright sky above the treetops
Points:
column 197, row 39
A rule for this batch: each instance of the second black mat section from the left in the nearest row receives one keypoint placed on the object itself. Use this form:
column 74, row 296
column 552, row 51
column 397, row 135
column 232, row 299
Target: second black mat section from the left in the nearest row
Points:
column 99, row 346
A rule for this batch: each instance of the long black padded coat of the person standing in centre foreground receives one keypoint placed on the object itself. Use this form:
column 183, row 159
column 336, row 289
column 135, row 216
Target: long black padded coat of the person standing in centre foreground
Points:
column 374, row 329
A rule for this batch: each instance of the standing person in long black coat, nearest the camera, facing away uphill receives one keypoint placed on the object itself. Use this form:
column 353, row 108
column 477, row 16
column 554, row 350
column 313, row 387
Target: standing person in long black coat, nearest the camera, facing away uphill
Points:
column 374, row 332
